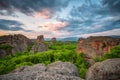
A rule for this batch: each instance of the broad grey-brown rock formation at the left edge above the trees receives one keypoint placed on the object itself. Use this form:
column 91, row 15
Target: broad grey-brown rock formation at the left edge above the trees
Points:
column 18, row 42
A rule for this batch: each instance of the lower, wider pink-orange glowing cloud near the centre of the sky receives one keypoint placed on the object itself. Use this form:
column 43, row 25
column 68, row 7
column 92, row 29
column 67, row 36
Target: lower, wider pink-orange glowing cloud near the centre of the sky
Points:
column 54, row 26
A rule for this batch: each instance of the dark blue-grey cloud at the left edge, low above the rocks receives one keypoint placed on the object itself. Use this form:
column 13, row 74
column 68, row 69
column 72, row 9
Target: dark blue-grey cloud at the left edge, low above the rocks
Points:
column 11, row 25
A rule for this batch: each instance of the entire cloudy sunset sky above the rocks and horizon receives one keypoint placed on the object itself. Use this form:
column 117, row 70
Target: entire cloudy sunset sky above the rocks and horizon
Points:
column 60, row 18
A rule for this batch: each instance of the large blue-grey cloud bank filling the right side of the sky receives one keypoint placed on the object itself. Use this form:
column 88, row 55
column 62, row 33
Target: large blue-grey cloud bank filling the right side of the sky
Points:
column 91, row 17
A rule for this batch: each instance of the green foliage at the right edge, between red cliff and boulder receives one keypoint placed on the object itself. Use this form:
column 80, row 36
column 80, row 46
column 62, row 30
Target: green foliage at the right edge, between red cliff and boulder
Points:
column 114, row 53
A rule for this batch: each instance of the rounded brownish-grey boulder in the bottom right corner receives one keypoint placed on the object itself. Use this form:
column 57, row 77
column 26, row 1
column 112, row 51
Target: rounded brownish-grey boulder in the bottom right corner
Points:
column 106, row 70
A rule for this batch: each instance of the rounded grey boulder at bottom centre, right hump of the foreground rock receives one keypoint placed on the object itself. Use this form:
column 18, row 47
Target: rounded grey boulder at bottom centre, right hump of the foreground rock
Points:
column 65, row 68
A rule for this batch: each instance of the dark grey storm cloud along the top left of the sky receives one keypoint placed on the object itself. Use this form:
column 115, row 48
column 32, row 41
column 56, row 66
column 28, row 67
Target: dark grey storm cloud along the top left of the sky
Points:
column 30, row 6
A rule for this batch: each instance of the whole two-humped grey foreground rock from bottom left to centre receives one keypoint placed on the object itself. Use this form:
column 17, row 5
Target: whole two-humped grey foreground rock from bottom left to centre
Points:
column 54, row 71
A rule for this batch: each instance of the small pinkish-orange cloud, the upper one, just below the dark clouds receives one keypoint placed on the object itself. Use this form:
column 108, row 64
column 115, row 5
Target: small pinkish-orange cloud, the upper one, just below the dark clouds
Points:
column 45, row 13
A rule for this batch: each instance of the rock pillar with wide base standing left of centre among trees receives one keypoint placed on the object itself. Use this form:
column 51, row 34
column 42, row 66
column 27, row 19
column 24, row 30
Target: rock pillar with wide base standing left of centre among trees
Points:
column 40, row 45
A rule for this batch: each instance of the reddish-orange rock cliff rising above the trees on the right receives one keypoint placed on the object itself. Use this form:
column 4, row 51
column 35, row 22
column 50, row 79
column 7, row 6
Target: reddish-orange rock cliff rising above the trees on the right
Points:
column 96, row 46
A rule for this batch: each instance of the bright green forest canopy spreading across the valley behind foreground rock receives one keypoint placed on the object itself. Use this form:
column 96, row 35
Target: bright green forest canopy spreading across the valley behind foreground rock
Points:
column 59, row 51
